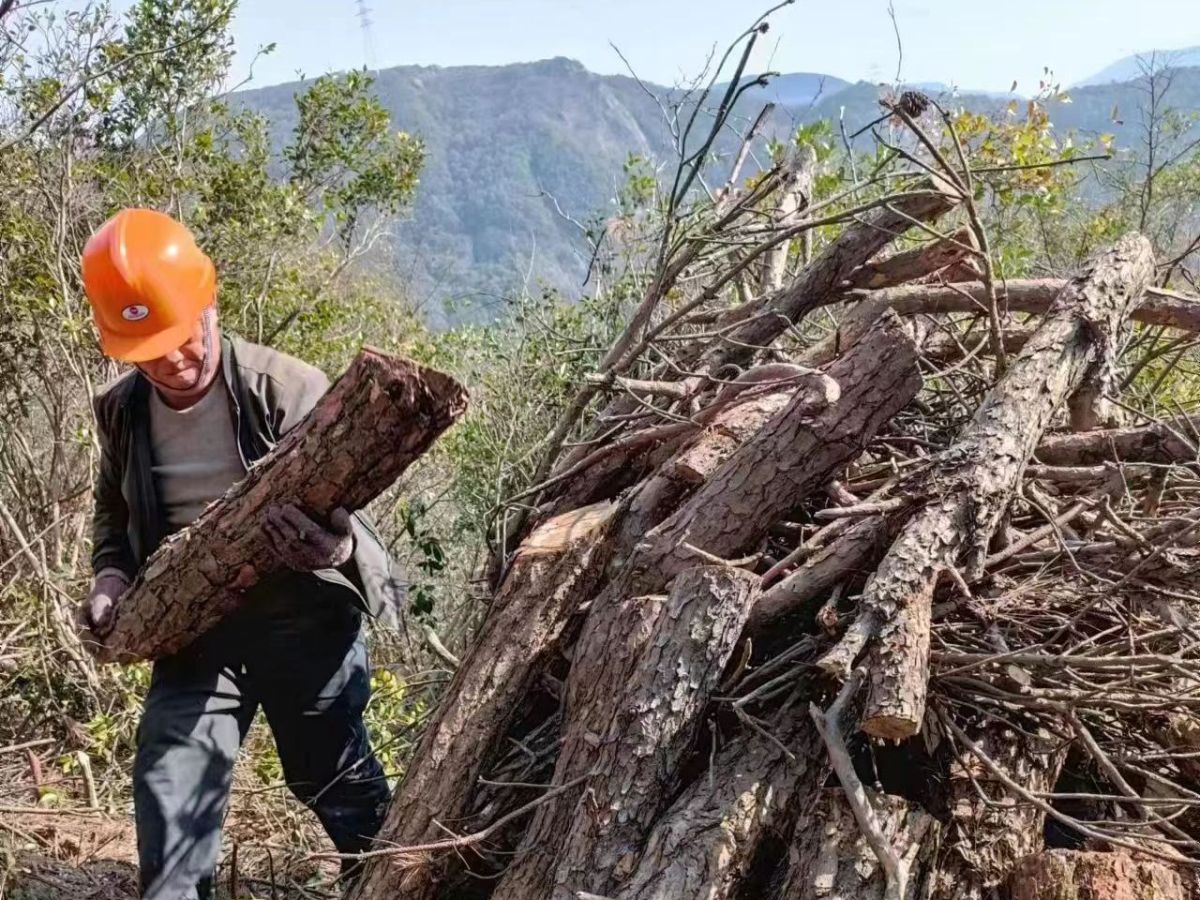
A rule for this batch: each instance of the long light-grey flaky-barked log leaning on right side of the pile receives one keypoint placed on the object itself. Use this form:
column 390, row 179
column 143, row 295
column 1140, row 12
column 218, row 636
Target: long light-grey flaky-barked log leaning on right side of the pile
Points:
column 971, row 484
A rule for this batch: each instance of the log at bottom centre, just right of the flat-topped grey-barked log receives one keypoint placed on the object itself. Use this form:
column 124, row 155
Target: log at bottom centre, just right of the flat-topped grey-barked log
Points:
column 705, row 845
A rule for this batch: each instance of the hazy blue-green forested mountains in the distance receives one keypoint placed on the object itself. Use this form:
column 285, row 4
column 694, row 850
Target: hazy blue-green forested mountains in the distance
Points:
column 520, row 157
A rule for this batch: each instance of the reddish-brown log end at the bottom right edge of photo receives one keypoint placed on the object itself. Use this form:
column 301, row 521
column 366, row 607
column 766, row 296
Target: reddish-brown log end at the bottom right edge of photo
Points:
column 1084, row 875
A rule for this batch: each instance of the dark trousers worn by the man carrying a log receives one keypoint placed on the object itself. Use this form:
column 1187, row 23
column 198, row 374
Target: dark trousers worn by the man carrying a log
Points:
column 296, row 650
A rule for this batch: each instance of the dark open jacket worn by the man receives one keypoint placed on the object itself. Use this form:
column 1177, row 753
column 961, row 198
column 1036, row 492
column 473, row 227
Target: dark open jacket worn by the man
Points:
column 269, row 394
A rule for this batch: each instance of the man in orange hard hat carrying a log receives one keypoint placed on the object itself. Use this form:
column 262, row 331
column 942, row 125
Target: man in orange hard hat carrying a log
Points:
column 176, row 433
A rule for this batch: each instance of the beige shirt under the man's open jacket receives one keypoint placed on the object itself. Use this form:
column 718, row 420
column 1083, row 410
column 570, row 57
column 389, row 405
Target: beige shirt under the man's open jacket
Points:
column 196, row 457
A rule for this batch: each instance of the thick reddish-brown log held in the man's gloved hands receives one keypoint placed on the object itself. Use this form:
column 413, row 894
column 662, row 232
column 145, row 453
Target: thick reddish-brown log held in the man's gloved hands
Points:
column 379, row 419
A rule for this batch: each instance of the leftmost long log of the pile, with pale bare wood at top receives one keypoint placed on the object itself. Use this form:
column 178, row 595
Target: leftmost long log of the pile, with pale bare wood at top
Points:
column 556, row 569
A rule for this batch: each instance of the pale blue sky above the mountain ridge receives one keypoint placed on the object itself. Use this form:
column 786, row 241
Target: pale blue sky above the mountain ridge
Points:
column 971, row 44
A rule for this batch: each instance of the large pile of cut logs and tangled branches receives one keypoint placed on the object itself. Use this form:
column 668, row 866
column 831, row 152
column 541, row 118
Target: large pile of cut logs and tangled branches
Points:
column 851, row 573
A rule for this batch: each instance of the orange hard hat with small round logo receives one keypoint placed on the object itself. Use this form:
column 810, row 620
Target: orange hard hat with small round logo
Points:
column 148, row 284
